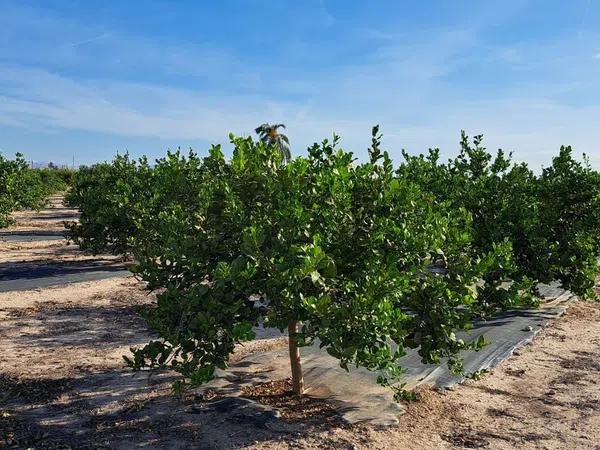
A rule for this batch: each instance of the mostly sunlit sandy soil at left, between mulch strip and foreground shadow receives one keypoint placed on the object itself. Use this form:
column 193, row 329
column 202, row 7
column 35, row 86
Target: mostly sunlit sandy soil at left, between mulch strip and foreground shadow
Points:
column 57, row 331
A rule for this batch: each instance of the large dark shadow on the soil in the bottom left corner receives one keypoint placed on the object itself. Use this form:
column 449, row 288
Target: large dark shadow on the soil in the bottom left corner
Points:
column 119, row 410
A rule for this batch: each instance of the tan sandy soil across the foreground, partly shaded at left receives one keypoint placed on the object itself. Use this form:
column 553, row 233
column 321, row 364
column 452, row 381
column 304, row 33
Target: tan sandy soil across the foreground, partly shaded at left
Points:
column 63, row 384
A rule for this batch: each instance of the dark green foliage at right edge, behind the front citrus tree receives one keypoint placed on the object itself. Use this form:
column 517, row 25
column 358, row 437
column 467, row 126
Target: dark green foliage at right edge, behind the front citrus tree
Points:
column 552, row 220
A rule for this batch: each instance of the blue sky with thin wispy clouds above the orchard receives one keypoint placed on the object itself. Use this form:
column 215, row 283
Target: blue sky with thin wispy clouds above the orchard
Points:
column 89, row 78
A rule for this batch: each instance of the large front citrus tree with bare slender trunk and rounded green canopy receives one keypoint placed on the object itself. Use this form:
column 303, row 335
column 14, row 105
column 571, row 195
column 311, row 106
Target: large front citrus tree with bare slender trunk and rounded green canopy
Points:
column 323, row 247
